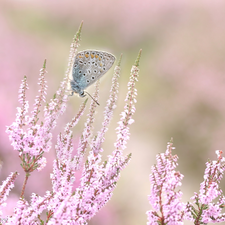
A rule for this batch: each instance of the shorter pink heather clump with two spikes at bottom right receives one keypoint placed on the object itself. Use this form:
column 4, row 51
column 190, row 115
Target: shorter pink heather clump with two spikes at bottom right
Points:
column 165, row 198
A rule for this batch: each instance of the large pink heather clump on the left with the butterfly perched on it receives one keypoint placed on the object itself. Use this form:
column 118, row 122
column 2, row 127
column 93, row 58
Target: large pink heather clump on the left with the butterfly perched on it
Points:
column 31, row 137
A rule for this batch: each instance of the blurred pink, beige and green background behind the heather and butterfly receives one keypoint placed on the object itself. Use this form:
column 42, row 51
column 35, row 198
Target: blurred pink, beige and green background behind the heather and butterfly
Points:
column 181, row 88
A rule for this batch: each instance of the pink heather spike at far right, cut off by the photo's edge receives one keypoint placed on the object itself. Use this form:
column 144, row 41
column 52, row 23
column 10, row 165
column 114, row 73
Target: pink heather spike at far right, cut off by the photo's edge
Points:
column 210, row 201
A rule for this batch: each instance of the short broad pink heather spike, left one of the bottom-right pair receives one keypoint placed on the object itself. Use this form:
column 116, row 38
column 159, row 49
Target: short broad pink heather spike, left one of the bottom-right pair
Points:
column 164, row 199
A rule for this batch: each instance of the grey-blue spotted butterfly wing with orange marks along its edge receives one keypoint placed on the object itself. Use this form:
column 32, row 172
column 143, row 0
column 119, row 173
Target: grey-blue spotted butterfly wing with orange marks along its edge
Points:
column 90, row 65
